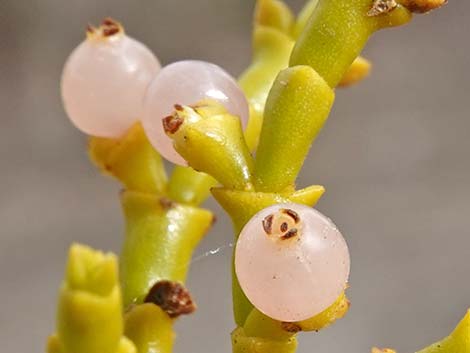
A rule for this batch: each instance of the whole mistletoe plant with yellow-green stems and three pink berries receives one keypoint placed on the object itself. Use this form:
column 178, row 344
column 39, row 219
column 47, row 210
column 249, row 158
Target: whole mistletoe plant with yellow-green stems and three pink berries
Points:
column 243, row 142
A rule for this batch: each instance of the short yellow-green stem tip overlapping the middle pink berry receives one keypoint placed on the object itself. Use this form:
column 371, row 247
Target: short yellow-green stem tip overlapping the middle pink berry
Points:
column 211, row 141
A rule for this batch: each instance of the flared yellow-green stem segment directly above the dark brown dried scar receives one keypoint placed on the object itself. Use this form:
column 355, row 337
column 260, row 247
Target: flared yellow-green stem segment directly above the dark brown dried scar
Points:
column 160, row 239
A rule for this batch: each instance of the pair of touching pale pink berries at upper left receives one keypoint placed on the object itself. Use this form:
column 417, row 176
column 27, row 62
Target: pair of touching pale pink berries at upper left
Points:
column 111, row 80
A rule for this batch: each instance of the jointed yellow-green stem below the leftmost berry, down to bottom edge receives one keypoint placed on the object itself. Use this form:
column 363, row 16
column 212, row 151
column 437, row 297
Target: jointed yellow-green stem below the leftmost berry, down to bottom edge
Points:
column 163, row 227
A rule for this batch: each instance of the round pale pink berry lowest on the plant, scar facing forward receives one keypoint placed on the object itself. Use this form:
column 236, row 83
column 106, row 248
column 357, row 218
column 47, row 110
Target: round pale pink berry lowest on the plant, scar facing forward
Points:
column 292, row 262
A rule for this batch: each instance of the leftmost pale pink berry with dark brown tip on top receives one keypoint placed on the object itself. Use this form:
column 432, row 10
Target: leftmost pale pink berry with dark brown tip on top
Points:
column 105, row 79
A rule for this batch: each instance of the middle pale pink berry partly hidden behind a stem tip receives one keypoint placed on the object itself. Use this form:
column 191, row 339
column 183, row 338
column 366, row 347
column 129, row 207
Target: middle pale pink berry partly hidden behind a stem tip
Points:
column 188, row 83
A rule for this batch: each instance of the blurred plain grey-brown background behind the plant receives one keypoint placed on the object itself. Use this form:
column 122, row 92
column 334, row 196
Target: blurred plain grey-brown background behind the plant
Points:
column 393, row 157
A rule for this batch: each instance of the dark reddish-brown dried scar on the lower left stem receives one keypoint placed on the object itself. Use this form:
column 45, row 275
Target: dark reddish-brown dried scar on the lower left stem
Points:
column 172, row 297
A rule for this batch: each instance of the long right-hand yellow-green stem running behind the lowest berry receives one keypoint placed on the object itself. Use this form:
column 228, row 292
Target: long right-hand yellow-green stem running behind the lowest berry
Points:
column 296, row 109
